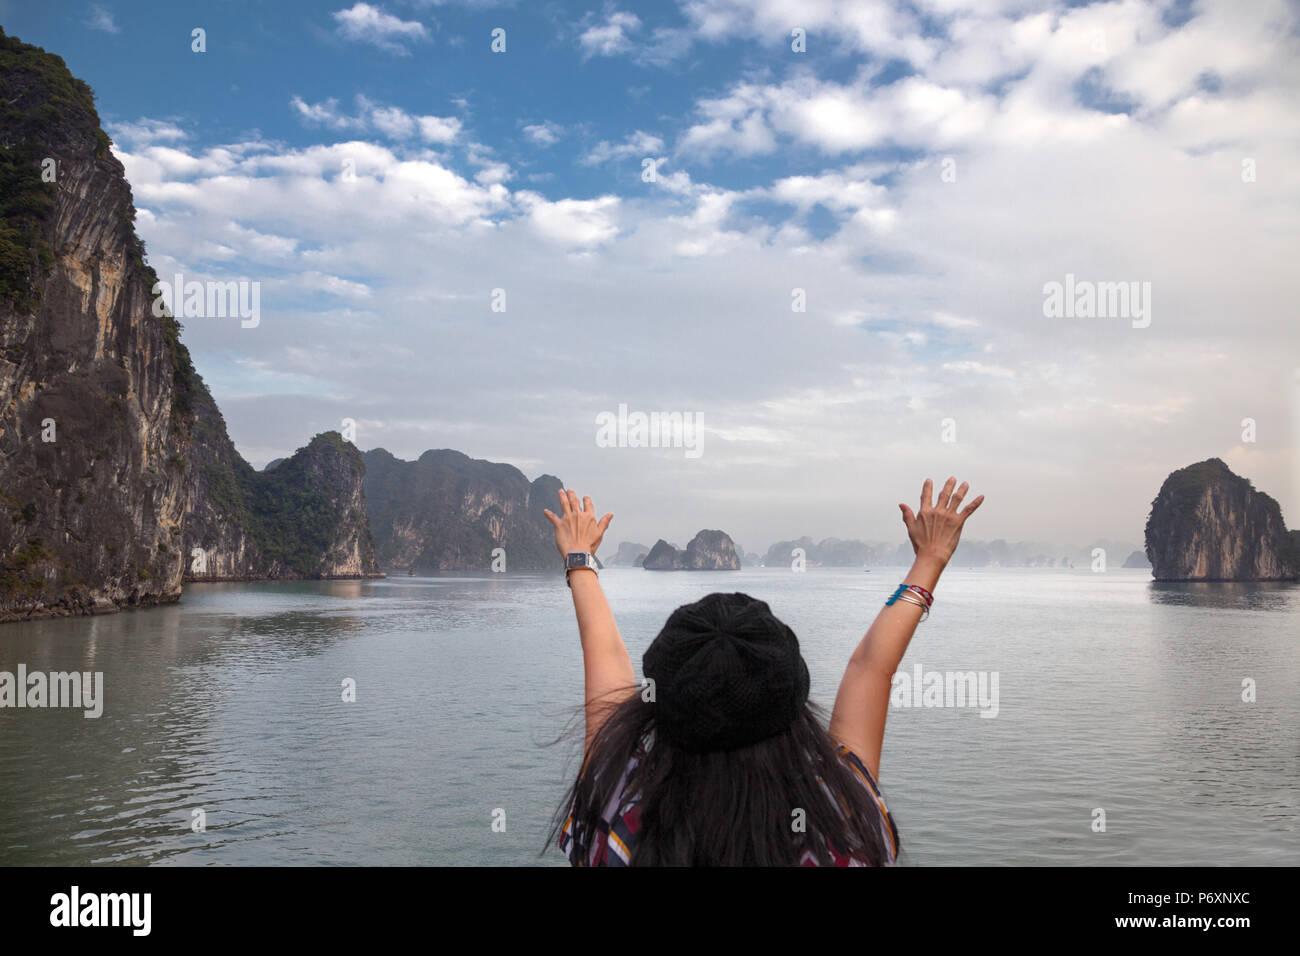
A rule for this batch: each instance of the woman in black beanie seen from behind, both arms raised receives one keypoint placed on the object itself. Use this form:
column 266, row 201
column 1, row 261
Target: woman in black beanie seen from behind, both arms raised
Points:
column 718, row 758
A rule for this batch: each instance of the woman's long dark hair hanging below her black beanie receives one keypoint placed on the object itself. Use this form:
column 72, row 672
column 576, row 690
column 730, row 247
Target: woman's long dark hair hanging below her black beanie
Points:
column 725, row 808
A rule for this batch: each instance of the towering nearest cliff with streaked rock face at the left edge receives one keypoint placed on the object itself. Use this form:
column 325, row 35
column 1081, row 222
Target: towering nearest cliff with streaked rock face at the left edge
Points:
column 96, row 391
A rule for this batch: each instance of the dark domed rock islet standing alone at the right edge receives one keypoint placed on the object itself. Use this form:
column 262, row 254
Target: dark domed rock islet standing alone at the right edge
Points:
column 1208, row 525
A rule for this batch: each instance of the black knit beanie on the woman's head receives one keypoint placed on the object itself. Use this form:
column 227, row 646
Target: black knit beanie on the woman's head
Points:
column 727, row 673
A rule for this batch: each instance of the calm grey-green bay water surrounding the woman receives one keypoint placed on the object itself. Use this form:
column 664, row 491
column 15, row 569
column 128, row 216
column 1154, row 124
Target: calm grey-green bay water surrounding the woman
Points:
column 1113, row 694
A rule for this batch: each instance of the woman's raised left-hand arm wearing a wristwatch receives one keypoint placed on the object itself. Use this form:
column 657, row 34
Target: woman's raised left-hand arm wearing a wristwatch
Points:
column 606, row 664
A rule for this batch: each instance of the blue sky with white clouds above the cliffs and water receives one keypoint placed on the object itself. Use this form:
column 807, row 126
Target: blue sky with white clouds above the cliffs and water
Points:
column 825, row 232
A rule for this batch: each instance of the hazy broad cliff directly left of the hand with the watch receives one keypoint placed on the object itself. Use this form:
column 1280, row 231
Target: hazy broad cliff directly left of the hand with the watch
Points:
column 448, row 512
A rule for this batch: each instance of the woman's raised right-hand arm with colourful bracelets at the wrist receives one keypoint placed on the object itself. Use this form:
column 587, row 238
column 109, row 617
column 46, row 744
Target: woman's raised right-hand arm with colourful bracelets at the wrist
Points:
column 863, row 704
